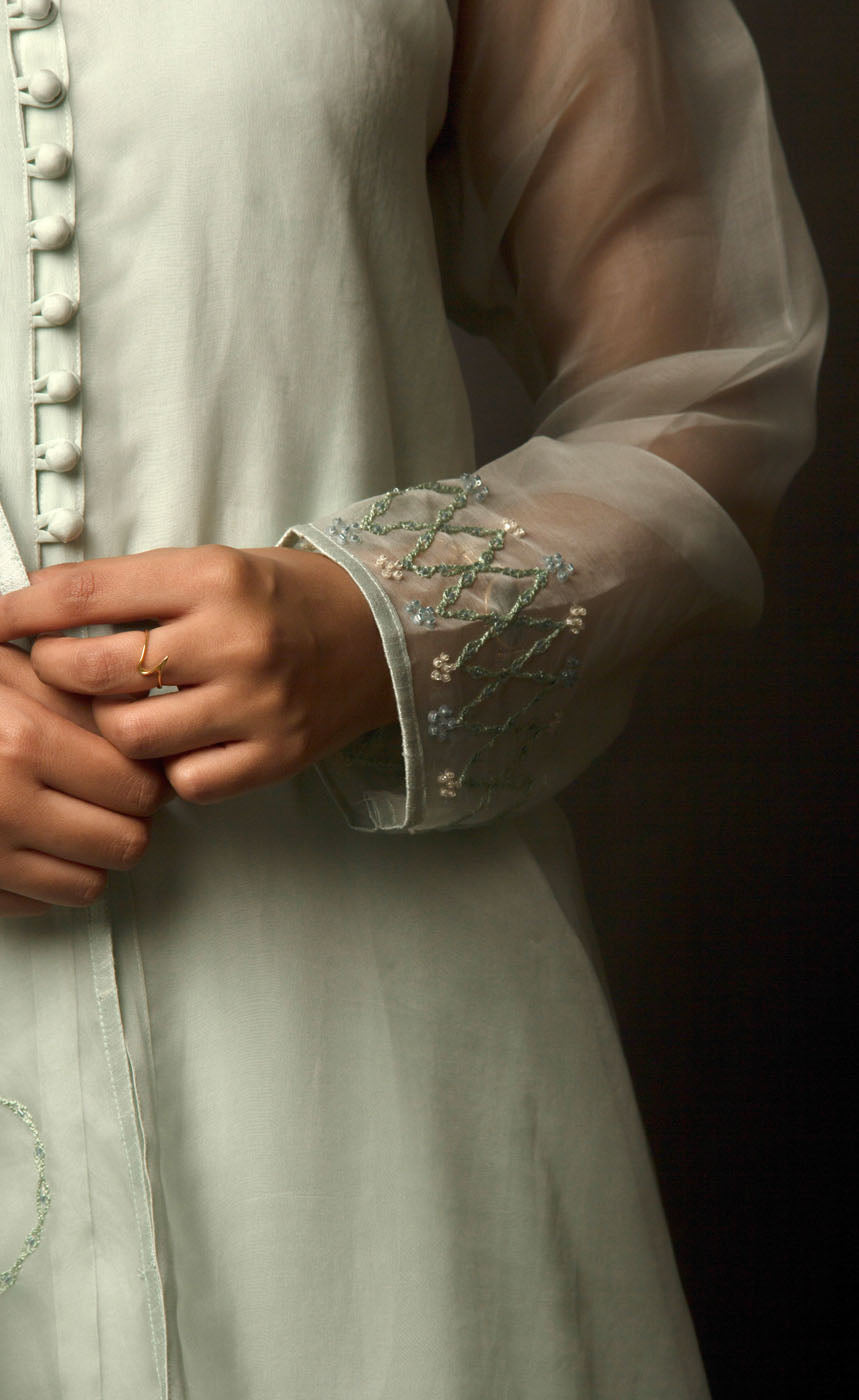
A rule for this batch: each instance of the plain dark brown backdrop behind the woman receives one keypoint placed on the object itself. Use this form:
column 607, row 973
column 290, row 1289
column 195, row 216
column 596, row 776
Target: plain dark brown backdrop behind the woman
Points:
column 717, row 848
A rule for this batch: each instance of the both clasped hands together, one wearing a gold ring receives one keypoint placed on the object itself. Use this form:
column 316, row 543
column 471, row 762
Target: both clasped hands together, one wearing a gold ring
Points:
column 278, row 663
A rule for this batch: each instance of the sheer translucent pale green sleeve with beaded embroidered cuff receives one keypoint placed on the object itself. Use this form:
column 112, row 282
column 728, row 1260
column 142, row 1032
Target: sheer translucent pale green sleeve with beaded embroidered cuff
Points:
column 615, row 212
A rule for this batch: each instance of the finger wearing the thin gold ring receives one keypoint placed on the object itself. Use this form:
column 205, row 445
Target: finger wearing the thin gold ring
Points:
column 111, row 666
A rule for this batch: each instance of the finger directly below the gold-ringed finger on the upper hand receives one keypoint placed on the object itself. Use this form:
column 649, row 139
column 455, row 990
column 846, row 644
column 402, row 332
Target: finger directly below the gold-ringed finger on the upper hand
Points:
column 164, row 726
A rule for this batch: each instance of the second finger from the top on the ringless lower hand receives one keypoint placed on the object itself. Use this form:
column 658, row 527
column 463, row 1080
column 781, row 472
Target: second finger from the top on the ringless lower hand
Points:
column 87, row 835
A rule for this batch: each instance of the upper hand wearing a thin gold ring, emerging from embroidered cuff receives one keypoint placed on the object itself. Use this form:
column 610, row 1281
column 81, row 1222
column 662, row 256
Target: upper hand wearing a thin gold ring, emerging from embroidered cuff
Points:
column 275, row 653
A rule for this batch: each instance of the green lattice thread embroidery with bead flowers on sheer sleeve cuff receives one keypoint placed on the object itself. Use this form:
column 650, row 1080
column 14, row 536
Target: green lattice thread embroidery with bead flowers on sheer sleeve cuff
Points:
column 525, row 666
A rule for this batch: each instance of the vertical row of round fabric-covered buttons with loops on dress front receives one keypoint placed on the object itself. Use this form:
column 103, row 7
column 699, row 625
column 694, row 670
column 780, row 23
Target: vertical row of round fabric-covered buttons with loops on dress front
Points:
column 43, row 85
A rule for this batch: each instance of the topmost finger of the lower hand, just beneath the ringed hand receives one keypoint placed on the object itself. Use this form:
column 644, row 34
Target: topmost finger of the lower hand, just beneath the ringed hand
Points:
column 87, row 766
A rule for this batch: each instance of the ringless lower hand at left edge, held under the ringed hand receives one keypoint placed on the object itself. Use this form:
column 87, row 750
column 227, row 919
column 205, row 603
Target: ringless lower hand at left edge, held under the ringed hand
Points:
column 72, row 807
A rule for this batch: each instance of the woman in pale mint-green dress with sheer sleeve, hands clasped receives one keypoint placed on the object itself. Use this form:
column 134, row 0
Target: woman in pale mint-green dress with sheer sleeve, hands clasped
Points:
column 315, row 1114
